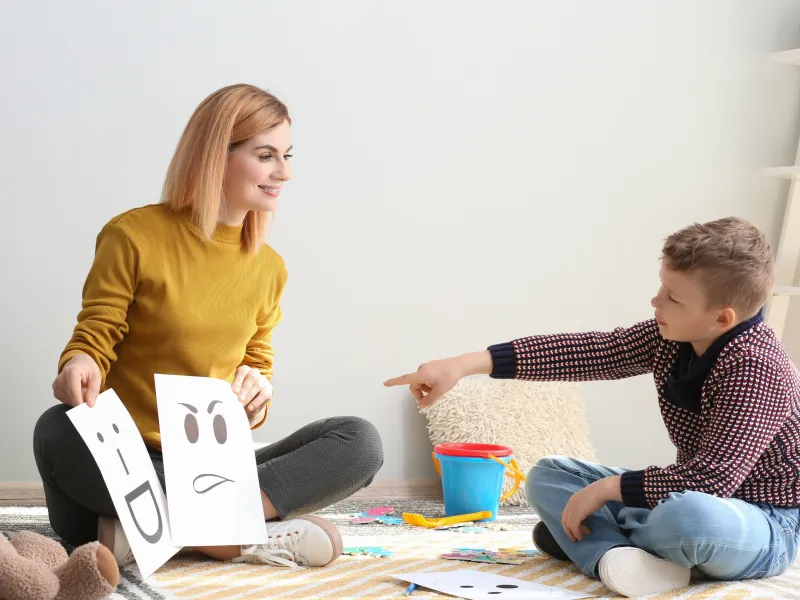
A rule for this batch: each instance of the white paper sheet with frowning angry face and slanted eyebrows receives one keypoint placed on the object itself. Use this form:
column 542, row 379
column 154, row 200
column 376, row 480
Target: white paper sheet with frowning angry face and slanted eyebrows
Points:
column 209, row 463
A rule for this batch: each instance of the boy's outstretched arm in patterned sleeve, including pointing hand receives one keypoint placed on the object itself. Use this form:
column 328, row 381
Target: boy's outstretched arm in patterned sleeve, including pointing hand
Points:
column 623, row 352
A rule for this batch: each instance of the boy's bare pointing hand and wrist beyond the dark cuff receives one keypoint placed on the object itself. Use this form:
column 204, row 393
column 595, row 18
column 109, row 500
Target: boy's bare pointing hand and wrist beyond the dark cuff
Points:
column 434, row 379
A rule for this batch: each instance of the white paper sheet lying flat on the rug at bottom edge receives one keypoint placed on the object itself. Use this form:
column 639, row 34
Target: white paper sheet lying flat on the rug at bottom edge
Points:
column 477, row 585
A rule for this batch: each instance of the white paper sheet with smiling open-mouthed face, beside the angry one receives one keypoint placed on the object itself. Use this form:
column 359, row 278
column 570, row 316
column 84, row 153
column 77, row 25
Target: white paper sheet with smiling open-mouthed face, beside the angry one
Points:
column 119, row 451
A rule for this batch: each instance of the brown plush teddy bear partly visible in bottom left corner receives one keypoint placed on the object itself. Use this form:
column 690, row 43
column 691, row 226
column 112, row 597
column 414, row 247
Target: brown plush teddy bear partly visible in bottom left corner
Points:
column 34, row 567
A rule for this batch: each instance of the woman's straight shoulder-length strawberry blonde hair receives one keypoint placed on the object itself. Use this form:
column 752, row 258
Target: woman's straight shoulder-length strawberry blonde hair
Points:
column 195, row 176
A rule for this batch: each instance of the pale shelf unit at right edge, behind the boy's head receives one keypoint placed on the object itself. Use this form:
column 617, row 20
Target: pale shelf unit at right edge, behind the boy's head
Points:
column 787, row 254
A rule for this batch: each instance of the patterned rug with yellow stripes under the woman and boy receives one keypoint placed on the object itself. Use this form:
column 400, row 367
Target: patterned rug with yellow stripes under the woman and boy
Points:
column 189, row 576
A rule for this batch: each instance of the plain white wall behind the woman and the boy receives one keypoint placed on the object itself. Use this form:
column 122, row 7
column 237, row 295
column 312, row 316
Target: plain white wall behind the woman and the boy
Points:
column 466, row 172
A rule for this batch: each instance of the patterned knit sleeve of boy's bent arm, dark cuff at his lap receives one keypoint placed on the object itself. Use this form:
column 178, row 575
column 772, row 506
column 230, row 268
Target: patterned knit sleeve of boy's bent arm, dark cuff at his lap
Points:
column 749, row 404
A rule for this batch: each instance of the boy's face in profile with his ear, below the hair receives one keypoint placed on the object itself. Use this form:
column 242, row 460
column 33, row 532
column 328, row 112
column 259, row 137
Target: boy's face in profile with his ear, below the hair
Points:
column 684, row 313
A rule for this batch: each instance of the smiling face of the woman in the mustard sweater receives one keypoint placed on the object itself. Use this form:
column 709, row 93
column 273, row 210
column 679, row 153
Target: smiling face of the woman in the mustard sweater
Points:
column 256, row 171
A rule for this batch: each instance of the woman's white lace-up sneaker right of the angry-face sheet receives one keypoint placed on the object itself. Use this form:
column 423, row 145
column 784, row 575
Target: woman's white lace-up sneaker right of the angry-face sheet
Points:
column 306, row 541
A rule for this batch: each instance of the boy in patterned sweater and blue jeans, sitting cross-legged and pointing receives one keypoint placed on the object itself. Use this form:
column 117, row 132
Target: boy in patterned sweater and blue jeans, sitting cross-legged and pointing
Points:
column 729, row 506
